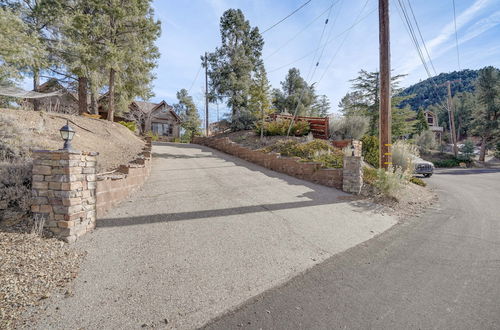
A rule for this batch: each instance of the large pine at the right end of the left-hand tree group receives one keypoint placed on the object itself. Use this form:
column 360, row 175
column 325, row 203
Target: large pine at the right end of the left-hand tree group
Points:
column 127, row 31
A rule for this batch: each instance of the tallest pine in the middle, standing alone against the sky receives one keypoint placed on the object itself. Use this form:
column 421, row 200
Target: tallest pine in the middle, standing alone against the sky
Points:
column 231, row 65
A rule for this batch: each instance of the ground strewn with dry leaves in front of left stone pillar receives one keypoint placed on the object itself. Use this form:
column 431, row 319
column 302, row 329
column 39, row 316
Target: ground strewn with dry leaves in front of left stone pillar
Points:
column 31, row 268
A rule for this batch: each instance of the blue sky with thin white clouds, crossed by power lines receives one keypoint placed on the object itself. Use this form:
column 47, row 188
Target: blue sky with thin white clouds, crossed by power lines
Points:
column 189, row 28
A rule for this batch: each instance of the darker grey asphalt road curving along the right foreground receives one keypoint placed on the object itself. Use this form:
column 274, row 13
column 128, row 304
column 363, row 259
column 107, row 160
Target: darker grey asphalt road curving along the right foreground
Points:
column 440, row 270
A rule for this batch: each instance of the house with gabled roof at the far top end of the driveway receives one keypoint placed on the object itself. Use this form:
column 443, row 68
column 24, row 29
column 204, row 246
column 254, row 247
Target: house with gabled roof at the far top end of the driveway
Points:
column 159, row 118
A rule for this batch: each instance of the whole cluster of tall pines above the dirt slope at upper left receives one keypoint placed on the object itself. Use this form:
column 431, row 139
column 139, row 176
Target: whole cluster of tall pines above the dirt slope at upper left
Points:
column 99, row 46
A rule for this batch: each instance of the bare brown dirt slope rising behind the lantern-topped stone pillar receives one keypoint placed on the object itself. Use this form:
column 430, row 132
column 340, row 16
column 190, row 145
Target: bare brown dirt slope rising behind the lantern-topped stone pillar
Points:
column 115, row 143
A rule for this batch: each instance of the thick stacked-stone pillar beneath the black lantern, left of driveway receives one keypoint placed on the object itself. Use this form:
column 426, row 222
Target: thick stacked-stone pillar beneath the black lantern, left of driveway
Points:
column 63, row 188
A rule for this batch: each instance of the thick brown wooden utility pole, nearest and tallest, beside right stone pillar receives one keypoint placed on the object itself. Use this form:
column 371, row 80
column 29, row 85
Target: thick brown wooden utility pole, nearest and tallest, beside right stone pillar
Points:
column 385, row 150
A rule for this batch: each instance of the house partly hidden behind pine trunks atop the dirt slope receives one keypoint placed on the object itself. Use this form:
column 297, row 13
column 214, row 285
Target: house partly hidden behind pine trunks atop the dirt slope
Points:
column 67, row 102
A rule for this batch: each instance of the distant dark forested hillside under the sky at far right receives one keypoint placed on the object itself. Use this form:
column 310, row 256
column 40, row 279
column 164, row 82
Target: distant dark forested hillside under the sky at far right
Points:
column 426, row 94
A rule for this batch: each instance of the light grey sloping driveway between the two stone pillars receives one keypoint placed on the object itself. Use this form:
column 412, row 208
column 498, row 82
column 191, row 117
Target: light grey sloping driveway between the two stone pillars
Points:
column 205, row 233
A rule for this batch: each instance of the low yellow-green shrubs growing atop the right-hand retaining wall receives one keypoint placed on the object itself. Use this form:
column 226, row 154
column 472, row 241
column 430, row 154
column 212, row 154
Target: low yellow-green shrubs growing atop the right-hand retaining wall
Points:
column 317, row 150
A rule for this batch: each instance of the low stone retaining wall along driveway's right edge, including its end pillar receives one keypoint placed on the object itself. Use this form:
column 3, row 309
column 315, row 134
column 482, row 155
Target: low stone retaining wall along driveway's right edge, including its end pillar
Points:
column 309, row 171
